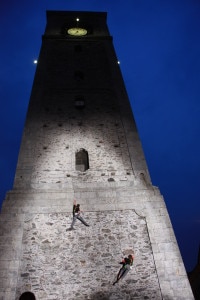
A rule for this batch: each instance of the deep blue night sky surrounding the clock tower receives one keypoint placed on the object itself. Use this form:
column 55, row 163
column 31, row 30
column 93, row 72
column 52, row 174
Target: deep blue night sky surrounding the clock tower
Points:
column 158, row 45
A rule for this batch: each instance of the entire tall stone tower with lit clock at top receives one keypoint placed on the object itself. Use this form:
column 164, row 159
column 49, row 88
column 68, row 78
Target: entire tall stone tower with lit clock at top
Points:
column 80, row 141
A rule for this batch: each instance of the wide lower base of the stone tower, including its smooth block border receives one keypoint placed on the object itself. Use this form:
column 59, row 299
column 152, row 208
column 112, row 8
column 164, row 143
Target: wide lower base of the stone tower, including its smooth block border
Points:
column 37, row 253
